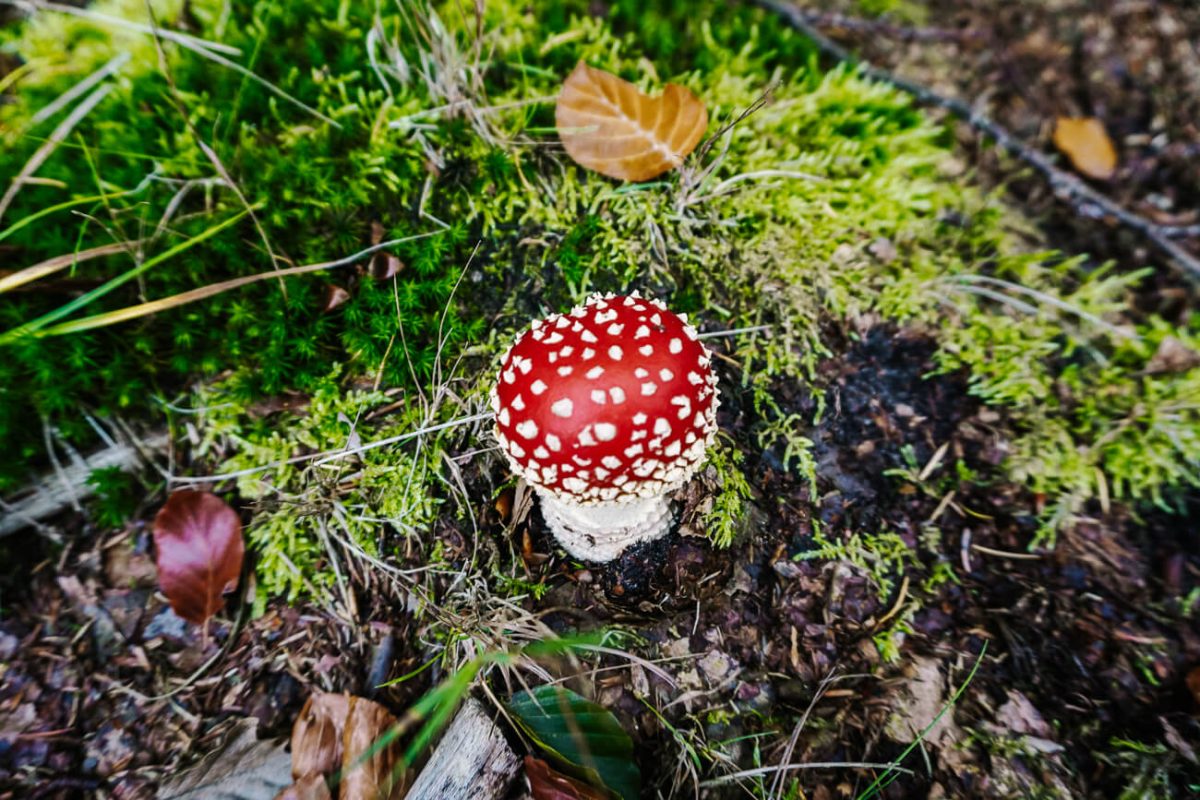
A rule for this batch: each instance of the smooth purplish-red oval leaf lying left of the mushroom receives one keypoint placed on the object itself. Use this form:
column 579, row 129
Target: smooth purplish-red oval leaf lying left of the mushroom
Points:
column 197, row 539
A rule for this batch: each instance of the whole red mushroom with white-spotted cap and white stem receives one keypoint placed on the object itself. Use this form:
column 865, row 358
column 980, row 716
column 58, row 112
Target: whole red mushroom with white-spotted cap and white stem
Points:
column 605, row 412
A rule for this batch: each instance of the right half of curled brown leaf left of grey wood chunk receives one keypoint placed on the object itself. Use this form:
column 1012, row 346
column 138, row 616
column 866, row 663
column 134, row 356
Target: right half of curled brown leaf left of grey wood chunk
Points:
column 381, row 777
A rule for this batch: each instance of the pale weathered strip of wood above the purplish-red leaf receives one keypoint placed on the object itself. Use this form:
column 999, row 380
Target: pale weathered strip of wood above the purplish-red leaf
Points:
column 58, row 490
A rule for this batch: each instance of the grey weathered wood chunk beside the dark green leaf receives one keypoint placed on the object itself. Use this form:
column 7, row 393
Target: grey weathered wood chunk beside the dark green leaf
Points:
column 473, row 761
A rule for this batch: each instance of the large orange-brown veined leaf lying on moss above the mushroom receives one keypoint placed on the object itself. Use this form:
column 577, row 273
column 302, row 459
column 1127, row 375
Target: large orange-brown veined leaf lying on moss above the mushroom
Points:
column 611, row 128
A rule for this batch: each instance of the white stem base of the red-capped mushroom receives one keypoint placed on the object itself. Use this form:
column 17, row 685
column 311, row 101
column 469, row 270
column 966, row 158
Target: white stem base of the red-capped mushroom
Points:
column 601, row 533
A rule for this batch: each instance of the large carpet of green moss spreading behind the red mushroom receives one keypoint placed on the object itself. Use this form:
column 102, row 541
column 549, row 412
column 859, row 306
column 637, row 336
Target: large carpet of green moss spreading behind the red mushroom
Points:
column 412, row 127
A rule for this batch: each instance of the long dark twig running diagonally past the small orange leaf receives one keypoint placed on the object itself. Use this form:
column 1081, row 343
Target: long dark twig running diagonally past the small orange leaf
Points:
column 1087, row 201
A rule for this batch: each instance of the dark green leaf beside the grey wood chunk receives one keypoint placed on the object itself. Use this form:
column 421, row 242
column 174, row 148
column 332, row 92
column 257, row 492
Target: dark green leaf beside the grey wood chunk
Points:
column 580, row 735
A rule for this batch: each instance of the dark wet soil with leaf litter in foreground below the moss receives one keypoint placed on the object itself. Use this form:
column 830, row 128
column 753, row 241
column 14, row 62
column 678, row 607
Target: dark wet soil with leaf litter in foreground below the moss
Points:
column 1094, row 636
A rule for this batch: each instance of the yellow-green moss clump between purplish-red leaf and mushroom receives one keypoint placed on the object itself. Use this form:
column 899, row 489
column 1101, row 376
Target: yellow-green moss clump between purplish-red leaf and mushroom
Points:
column 313, row 516
